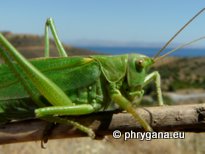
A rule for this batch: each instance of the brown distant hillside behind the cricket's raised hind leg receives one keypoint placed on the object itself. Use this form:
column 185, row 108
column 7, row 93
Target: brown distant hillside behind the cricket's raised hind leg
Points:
column 33, row 45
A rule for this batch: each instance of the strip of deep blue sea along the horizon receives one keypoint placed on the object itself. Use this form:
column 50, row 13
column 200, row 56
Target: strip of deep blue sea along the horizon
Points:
column 186, row 52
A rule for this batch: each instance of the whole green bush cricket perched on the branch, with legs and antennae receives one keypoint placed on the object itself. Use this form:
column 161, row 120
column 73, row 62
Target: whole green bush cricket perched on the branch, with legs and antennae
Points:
column 48, row 88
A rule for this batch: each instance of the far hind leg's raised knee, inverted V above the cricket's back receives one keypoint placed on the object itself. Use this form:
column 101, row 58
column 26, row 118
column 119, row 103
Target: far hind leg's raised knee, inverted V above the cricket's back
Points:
column 50, row 24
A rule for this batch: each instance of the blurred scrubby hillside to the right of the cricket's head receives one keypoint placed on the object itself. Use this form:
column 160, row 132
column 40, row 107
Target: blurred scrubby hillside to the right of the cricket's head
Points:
column 182, row 73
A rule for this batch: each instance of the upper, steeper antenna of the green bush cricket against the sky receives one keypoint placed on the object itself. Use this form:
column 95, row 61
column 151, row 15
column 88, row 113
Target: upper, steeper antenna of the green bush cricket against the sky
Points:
column 178, row 32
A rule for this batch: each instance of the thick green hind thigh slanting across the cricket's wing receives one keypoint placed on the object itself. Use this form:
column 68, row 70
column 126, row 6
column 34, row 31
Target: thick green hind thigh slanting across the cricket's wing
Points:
column 45, row 86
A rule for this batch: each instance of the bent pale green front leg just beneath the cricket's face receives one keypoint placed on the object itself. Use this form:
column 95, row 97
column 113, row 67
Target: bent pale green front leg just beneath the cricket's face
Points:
column 156, row 77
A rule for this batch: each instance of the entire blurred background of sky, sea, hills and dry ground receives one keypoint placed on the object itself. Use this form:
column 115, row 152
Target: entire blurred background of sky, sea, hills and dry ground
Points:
column 117, row 27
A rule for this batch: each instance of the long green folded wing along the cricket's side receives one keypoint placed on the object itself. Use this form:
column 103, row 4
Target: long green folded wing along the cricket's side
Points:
column 67, row 73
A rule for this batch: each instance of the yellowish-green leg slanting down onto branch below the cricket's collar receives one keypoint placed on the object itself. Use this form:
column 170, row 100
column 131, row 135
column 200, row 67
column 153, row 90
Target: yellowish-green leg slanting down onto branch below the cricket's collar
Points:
column 127, row 105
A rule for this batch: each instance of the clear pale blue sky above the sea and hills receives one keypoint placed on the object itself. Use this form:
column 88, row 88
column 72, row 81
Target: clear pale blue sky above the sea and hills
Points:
column 106, row 22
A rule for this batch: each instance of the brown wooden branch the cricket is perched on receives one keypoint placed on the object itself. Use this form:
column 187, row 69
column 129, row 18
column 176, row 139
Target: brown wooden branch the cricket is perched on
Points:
column 165, row 118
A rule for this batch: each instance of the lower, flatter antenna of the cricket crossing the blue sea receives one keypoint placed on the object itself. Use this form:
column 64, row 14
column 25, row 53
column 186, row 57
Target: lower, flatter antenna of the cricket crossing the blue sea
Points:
column 179, row 47
